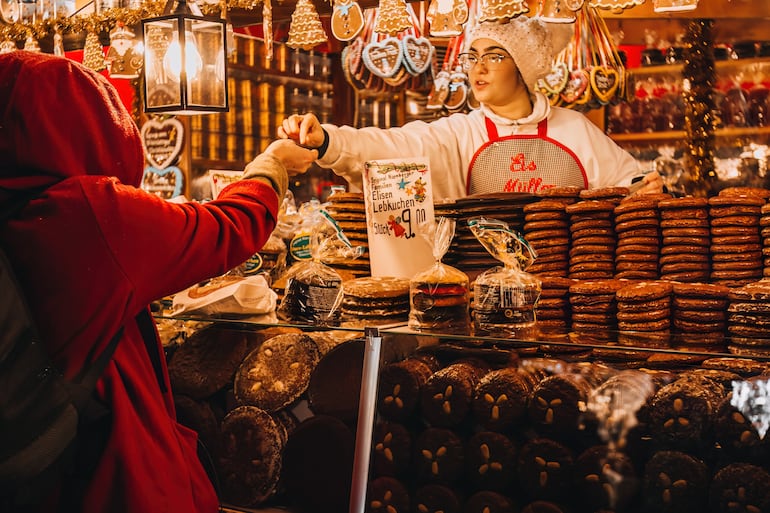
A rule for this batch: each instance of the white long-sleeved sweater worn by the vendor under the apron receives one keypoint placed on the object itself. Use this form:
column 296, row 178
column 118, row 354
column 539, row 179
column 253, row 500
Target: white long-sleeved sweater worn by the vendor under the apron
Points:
column 450, row 143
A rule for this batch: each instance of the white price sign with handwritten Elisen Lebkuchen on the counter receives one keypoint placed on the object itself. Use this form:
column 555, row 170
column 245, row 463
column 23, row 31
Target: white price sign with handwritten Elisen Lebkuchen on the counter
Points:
column 399, row 198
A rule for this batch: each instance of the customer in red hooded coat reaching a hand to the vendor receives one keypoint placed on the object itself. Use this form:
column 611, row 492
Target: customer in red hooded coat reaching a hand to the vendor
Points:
column 93, row 250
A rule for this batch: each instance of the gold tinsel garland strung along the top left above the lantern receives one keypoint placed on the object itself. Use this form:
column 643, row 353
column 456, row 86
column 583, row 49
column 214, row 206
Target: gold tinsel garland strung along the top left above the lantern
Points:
column 106, row 20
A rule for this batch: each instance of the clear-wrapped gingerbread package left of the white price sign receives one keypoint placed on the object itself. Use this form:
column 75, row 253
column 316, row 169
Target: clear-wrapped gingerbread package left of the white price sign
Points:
column 313, row 289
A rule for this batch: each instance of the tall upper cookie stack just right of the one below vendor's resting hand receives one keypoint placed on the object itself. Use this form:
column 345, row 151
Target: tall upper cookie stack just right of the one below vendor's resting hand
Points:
column 684, row 255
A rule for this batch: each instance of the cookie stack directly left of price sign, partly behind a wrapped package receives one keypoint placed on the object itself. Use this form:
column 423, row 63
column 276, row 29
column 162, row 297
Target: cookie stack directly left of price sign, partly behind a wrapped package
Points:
column 347, row 208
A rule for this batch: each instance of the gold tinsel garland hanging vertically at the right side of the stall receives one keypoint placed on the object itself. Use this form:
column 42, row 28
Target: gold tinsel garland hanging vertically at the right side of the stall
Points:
column 699, row 79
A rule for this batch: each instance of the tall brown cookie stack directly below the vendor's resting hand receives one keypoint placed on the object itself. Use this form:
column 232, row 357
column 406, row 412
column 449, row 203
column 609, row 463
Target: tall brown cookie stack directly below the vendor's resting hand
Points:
column 638, row 232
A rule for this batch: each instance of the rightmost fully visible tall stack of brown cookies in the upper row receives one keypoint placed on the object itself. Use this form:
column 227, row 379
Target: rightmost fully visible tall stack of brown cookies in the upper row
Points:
column 736, row 248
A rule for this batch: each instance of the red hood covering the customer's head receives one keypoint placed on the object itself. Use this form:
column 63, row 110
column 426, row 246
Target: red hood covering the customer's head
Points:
column 87, row 132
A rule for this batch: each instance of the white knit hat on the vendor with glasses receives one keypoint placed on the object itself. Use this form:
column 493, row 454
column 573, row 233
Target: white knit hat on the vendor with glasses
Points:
column 532, row 42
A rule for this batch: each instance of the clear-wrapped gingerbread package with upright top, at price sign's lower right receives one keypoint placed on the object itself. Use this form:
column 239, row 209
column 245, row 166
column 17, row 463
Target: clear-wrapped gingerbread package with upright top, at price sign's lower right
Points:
column 439, row 297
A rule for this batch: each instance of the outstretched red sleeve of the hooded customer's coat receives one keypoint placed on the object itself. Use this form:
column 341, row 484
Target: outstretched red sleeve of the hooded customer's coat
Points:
column 165, row 247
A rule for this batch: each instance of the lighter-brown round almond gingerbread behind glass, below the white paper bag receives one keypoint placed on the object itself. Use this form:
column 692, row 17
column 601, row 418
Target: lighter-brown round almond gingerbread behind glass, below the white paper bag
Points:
column 276, row 373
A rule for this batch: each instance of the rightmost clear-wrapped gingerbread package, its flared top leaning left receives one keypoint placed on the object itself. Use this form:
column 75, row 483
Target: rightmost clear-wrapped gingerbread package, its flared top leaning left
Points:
column 505, row 296
